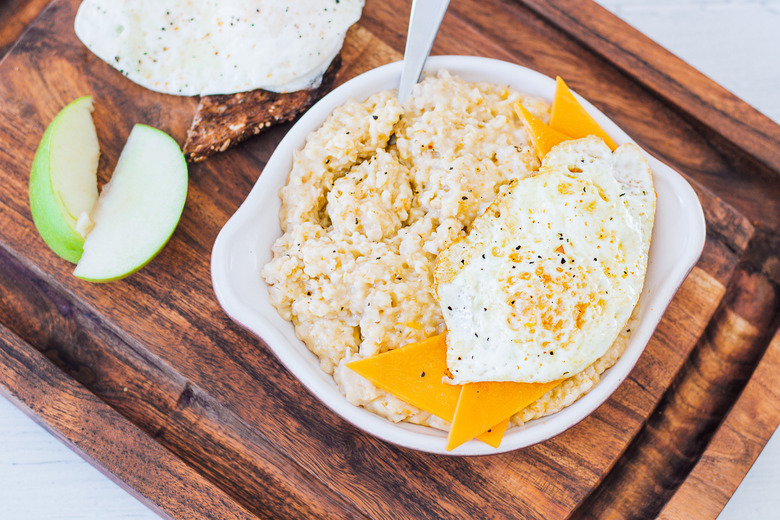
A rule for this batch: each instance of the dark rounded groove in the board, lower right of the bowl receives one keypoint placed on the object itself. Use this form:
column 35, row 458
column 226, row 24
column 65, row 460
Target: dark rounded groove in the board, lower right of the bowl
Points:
column 691, row 411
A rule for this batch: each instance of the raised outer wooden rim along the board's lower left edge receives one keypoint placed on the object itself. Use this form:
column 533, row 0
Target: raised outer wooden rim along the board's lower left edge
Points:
column 94, row 430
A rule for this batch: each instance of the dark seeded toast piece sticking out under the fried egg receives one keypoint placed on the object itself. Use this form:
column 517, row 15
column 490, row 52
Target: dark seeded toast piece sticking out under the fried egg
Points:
column 222, row 121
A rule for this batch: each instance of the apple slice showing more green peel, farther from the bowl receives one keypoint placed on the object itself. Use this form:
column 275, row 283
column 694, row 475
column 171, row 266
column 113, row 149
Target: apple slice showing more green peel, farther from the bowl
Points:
column 63, row 180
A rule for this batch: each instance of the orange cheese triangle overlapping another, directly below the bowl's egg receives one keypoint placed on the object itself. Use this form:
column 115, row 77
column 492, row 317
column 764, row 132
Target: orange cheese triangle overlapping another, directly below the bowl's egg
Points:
column 483, row 404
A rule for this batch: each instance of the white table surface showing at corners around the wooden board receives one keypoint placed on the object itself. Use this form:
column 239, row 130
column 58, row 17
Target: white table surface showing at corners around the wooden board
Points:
column 735, row 42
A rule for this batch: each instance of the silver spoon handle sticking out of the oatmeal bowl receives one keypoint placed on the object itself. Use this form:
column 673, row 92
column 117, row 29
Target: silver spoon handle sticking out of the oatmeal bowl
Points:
column 424, row 23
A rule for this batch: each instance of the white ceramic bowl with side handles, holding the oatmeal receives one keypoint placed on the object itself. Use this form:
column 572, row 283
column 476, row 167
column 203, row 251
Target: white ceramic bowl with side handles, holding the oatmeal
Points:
column 244, row 246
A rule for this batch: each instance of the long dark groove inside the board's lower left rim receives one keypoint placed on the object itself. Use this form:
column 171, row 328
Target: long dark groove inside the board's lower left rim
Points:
column 145, row 390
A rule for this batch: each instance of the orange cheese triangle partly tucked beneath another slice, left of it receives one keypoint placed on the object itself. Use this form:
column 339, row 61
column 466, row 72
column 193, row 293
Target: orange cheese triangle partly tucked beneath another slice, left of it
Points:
column 414, row 374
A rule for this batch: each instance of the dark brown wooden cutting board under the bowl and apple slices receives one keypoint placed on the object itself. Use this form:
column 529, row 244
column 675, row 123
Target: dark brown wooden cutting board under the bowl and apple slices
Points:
column 148, row 377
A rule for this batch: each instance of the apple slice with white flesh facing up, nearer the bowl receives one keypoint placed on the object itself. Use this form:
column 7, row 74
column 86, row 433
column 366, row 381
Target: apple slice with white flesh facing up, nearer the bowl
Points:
column 138, row 210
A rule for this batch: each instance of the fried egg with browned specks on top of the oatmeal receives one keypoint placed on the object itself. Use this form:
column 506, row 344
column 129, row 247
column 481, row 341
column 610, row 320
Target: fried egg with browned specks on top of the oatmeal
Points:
column 549, row 275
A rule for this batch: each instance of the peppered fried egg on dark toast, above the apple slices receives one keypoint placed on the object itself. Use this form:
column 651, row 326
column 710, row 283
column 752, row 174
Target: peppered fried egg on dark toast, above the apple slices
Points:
column 210, row 47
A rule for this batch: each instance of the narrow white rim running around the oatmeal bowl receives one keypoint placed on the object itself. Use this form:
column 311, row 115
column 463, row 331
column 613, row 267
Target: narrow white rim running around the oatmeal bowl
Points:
column 420, row 437
